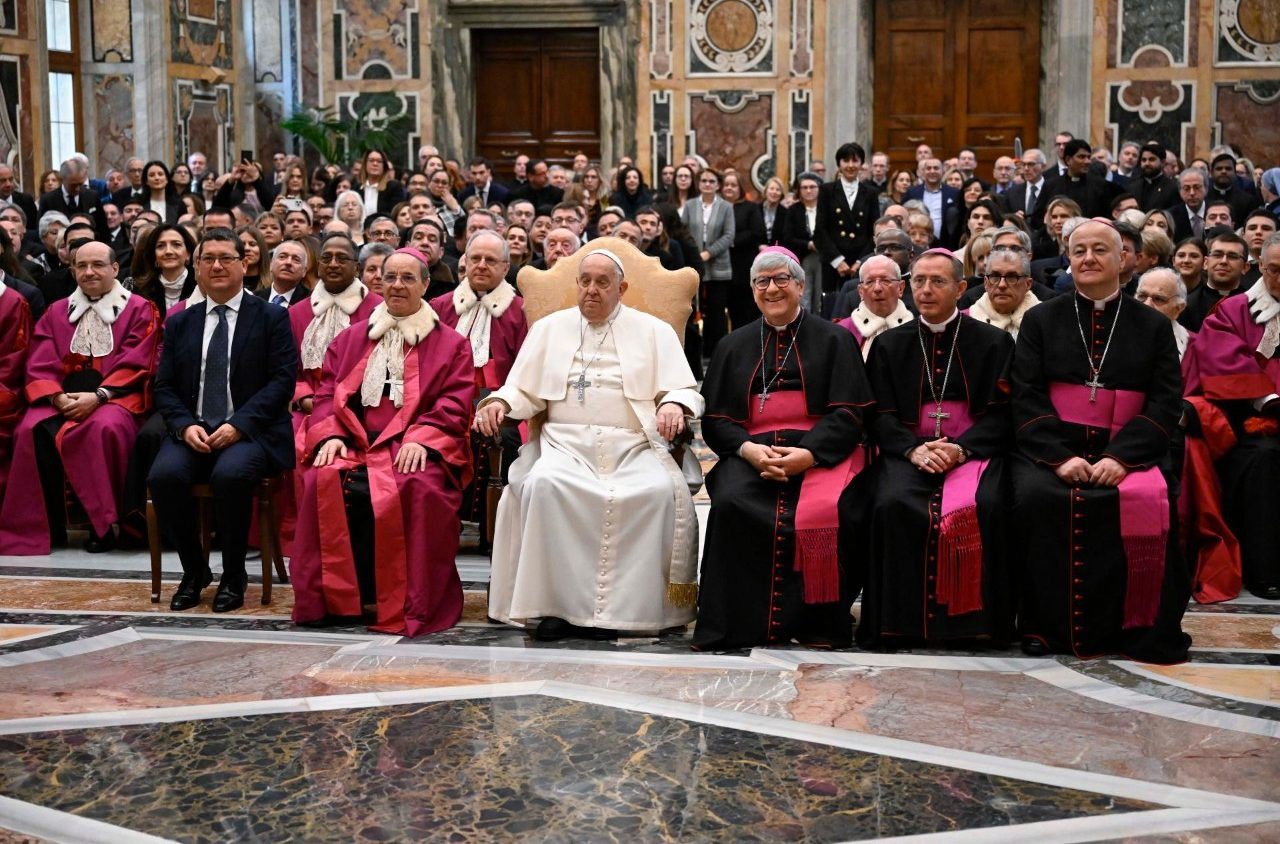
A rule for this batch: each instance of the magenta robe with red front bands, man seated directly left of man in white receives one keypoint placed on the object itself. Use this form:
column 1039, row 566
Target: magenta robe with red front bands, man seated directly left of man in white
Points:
column 415, row 515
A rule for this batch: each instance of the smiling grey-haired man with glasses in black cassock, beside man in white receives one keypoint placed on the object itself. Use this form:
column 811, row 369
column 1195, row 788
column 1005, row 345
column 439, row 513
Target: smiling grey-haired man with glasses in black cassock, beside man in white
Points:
column 785, row 400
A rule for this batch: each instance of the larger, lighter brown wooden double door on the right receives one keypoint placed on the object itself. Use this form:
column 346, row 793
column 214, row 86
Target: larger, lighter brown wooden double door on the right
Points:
column 956, row 74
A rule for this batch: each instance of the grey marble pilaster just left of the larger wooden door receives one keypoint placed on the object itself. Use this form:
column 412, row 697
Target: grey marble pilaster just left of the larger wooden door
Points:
column 849, row 92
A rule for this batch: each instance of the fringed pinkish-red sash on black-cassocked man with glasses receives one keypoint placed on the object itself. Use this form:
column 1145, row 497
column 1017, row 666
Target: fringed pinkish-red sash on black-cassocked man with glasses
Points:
column 817, row 518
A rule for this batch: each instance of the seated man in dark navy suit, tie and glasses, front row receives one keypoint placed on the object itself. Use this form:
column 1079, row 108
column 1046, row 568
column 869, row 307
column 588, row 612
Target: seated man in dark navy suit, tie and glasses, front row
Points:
column 226, row 380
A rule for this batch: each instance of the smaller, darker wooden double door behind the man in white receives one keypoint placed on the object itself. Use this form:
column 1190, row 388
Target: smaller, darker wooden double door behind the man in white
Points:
column 538, row 94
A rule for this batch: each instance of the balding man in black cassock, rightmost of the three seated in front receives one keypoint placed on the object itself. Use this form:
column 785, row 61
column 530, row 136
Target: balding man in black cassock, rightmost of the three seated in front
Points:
column 1098, row 398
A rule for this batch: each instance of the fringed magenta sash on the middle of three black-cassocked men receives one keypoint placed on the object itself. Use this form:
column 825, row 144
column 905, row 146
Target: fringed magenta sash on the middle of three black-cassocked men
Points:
column 959, row 539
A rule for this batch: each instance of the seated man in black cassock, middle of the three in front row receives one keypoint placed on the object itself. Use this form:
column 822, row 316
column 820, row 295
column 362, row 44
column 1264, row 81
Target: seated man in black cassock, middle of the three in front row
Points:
column 927, row 522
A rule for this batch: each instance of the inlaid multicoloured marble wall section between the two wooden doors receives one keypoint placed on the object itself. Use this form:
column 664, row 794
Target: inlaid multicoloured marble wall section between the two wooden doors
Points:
column 734, row 83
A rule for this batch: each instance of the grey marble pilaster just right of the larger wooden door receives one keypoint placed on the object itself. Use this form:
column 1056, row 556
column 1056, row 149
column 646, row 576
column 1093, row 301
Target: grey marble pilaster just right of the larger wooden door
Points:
column 1067, row 54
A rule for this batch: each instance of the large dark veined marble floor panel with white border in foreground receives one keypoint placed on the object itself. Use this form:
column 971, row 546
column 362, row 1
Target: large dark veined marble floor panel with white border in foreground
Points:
column 505, row 769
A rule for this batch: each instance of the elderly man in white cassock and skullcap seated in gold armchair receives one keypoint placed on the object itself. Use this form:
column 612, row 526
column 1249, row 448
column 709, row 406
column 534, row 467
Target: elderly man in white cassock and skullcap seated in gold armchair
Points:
column 596, row 532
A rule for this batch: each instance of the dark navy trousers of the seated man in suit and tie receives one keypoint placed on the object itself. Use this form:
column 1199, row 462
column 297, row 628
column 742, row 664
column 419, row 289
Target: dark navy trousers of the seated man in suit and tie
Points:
column 232, row 473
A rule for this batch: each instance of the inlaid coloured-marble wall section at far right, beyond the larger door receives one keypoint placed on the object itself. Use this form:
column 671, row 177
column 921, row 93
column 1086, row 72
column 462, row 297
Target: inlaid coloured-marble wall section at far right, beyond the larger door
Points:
column 1190, row 74
